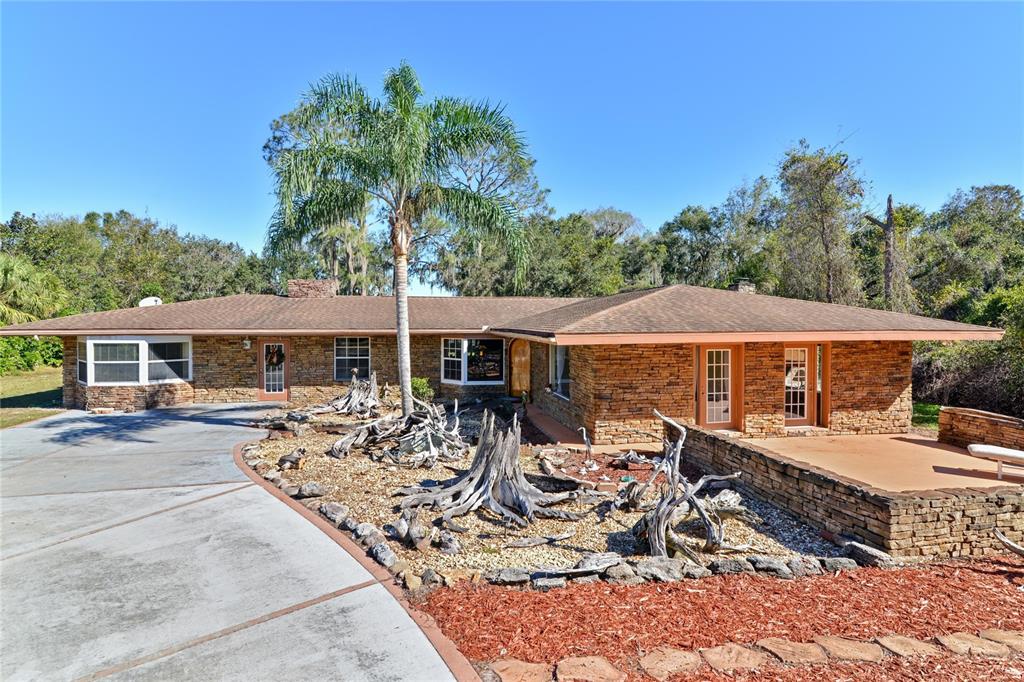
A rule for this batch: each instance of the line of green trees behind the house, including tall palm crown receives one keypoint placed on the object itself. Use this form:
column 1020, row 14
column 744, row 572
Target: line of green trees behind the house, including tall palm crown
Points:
column 446, row 191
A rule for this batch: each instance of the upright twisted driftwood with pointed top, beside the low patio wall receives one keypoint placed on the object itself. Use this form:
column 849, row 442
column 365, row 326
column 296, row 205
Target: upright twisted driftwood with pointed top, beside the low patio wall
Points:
column 656, row 528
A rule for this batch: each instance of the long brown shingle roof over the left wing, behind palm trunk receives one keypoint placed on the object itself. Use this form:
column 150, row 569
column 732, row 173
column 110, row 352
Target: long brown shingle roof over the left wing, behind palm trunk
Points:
column 250, row 314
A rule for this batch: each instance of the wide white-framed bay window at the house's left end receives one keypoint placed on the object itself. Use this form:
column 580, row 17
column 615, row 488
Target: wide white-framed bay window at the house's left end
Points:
column 136, row 361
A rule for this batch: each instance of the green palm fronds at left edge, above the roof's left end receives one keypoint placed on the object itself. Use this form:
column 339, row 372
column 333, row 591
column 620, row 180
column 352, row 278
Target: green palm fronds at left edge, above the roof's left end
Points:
column 27, row 292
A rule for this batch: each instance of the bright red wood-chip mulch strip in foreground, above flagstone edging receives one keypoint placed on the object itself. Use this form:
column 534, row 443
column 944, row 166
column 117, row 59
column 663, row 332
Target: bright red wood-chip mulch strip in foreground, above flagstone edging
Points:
column 622, row 623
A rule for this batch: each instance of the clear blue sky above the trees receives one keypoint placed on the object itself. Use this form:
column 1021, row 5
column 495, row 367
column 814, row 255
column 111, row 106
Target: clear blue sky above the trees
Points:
column 162, row 109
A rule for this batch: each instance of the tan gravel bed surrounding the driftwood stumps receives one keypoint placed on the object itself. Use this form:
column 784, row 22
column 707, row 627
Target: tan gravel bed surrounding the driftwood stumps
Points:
column 368, row 489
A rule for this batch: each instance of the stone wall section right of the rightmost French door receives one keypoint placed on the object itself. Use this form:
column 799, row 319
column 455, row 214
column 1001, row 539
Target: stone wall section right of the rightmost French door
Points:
column 871, row 388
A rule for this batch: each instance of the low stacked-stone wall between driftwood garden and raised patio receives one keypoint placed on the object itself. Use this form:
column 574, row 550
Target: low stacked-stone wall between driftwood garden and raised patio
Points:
column 934, row 524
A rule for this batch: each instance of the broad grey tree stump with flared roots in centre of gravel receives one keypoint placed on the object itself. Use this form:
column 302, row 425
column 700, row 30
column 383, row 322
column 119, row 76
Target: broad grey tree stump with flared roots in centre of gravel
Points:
column 495, row 481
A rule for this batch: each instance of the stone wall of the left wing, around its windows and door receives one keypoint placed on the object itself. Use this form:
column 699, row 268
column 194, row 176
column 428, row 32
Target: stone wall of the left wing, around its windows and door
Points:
column 225, row 372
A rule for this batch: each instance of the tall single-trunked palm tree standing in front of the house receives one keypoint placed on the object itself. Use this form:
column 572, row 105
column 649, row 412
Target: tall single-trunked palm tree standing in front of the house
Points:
column 397, row 150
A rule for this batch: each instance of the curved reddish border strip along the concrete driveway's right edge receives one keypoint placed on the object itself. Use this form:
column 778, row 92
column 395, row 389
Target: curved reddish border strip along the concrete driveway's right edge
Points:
column 450, row 654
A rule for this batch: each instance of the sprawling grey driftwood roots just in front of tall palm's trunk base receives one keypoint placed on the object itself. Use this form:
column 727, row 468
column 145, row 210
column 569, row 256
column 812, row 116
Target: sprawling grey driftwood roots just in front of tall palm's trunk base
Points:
column 424, row 438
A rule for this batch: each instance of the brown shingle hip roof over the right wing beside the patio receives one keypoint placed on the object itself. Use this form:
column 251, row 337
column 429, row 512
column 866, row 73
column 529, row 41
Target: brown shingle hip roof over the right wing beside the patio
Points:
column 682, row 310
